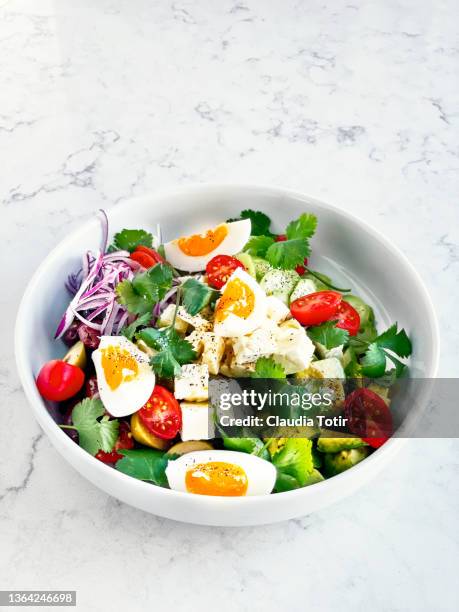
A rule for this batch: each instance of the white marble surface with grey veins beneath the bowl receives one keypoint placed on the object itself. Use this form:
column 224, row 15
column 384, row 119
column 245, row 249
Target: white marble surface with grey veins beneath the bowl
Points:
column 352, row 102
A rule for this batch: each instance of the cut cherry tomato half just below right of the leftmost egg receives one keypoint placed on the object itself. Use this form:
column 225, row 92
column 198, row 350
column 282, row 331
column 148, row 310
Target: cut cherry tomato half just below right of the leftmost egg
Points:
column 161, row 415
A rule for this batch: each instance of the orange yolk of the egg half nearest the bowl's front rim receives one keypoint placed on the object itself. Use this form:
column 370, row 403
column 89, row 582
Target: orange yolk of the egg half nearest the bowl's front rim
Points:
column 216, row 478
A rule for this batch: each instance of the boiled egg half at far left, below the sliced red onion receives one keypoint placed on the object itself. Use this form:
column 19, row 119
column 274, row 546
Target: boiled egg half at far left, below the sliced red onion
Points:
column 124, row 376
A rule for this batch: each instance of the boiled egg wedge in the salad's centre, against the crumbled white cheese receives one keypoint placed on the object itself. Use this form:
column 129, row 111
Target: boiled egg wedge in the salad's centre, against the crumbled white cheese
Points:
column 242, row 306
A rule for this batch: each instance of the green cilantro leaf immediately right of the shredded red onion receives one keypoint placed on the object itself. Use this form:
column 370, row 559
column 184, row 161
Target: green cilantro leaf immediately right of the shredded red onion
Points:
column 146, row 289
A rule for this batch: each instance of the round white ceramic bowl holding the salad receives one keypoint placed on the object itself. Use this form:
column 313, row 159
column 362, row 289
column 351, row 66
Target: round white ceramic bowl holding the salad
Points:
column 344, row 246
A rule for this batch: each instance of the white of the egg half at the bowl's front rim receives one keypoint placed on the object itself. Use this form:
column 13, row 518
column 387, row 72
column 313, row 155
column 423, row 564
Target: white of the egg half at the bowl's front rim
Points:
column 261, row 475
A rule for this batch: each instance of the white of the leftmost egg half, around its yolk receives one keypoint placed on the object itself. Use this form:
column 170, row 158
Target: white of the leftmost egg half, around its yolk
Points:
column 131, row 395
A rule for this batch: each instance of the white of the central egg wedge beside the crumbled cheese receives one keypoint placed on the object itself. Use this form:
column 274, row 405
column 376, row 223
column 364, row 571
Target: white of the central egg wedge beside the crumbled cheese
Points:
column 233, row 326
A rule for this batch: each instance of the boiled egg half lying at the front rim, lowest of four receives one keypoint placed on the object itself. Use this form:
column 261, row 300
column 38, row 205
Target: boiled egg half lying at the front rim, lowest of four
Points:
column 221, row 472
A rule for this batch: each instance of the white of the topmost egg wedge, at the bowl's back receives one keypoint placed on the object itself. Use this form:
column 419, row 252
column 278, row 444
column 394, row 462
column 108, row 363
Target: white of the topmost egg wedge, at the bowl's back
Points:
column 236, row 238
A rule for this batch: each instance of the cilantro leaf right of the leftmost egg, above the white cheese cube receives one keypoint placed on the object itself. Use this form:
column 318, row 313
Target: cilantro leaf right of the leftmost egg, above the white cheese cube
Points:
column 173, row 351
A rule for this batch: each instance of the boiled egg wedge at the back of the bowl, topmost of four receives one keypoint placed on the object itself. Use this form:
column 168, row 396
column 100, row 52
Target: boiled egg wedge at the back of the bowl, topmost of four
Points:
column 193, row 253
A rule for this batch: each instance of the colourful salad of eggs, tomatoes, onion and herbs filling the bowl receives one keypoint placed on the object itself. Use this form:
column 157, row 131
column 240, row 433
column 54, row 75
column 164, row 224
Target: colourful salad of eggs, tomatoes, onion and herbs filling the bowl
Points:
column 151, row 323
